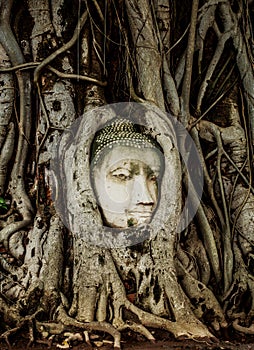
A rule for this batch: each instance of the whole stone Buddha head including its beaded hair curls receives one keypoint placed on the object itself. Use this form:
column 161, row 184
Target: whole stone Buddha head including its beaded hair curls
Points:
column 126, row 176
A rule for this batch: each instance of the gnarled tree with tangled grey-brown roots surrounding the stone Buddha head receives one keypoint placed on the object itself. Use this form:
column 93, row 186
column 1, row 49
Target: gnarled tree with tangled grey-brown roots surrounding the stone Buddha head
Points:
column 66, row 70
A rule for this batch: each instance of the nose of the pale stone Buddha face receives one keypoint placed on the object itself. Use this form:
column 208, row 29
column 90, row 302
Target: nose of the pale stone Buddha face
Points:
column 141, row 193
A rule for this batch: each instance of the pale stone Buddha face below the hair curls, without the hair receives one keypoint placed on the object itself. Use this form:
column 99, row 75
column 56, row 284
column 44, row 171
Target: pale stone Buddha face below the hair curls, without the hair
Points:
column 126, row 185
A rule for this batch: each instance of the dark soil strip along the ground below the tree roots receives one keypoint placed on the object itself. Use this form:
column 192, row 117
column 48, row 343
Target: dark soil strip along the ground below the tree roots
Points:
column 134, row 342
